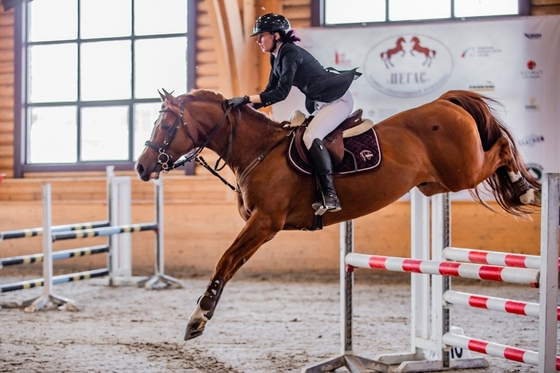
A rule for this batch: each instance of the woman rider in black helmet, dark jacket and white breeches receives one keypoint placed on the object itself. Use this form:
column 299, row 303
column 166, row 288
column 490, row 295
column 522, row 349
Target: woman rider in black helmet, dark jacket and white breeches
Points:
column 326, row 92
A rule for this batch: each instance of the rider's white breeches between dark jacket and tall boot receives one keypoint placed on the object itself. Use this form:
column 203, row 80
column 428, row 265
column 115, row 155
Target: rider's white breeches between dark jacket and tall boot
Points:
column 328, row 115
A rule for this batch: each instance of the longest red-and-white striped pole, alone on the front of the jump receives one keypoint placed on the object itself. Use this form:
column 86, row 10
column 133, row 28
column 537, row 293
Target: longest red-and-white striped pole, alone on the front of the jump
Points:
column 431, row 267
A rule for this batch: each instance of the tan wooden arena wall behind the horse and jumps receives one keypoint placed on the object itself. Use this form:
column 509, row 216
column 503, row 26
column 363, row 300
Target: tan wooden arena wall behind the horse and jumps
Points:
column 201, row 218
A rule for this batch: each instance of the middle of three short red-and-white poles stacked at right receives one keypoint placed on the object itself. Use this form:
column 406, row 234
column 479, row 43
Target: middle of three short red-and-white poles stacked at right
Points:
column 494, row 304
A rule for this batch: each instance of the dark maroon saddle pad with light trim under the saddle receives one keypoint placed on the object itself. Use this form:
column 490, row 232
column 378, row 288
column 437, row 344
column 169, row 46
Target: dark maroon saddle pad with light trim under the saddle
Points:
column 361, row 153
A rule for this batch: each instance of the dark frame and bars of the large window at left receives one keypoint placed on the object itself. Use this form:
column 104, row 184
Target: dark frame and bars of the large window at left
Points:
column 20, row 107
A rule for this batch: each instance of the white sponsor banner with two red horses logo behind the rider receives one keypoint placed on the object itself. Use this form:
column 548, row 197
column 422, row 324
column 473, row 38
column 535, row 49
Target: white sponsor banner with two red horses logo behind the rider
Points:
column 513, row 60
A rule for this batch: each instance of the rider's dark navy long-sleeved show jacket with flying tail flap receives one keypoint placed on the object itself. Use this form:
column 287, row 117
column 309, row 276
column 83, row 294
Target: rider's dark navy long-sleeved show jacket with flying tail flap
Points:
column 294, row 66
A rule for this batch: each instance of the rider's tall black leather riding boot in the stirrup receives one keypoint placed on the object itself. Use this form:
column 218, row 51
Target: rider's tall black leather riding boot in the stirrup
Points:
column 321, row 162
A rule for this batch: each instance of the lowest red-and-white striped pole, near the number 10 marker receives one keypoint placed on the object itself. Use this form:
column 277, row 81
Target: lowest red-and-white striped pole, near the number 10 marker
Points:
column 495, row 349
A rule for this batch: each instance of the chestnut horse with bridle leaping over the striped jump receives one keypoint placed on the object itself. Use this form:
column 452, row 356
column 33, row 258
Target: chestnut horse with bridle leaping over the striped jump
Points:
column 451, row 144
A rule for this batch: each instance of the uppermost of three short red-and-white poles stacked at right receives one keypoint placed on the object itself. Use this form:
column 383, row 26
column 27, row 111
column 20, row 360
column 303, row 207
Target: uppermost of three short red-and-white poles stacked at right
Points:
column 493, row 257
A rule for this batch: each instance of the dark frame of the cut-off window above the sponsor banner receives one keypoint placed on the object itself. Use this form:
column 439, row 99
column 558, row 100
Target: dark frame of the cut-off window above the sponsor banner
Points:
column 318, row 15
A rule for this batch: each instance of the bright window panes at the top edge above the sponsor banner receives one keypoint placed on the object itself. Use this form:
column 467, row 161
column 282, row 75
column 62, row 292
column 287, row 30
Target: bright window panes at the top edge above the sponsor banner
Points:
column 373, row 11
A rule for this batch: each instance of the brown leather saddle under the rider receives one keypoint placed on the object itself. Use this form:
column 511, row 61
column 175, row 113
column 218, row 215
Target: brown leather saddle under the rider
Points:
column 352, row 126
